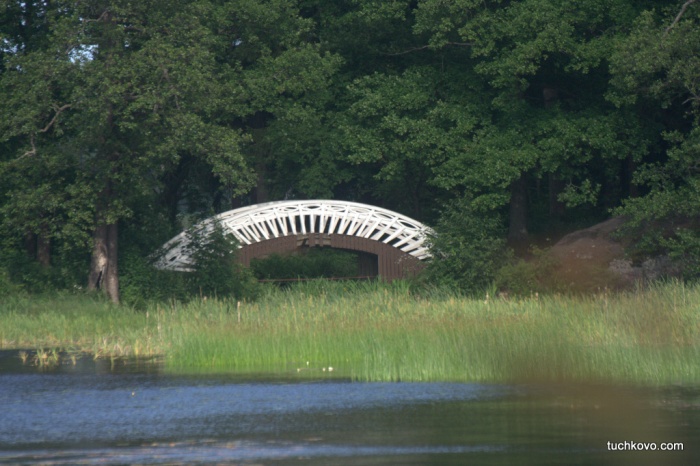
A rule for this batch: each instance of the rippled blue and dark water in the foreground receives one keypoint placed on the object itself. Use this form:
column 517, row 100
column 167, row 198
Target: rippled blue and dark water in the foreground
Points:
column 94, row 414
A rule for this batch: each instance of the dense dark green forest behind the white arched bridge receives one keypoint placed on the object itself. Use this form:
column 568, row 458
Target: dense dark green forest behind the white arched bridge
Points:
column 496, row 121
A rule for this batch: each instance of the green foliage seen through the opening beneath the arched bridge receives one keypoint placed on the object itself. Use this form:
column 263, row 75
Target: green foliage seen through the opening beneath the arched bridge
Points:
column 314, row 263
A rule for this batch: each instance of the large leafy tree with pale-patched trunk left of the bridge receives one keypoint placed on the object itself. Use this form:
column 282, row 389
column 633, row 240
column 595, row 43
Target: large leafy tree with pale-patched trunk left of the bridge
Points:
column 120, row 91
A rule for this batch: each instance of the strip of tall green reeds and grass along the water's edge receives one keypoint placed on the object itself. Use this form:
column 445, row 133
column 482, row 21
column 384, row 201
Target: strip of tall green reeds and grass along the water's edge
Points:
column 378, row 332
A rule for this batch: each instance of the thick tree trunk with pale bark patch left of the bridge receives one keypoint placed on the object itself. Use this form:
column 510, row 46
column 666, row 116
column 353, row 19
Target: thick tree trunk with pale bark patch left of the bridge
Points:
column 104, row 272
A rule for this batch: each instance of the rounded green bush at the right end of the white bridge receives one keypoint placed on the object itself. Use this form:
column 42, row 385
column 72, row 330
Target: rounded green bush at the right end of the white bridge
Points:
column 468, row 248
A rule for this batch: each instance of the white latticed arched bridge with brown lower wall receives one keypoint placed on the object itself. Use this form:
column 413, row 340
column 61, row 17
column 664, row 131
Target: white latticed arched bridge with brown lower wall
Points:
column 397, row 241
